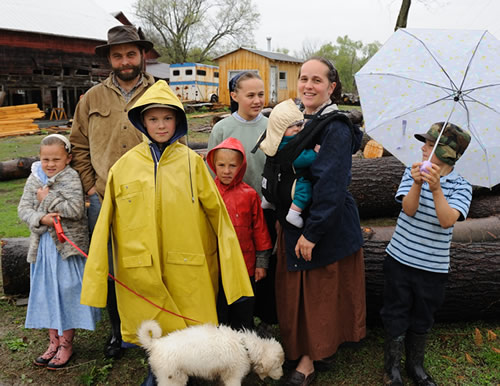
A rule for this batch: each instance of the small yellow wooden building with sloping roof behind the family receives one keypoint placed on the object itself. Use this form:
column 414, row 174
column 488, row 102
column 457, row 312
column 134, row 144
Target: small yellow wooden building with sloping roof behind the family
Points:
column 278, row 71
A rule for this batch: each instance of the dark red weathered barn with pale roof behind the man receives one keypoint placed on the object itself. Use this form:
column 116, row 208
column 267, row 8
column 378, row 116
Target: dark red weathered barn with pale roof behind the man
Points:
column 47, row 51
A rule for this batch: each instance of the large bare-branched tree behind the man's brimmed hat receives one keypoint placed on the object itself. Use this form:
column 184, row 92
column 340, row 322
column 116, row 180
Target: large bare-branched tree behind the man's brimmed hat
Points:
column 195, row 29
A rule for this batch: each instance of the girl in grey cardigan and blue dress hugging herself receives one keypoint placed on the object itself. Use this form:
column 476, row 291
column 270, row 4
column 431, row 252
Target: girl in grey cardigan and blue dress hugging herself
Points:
column 54, row 189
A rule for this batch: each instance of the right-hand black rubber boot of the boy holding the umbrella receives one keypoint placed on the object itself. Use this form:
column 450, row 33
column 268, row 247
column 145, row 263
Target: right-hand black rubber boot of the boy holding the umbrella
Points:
column 415, row 353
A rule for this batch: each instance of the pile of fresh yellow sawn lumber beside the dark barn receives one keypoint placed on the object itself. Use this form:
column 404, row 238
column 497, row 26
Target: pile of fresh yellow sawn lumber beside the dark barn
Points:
column 15, row 120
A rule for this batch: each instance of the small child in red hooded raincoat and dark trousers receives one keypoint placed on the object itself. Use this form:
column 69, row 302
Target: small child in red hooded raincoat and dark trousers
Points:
column 228, row 162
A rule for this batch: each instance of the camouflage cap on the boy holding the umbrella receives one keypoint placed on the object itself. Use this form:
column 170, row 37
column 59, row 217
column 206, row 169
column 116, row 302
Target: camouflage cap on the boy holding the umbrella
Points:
column 452, row 143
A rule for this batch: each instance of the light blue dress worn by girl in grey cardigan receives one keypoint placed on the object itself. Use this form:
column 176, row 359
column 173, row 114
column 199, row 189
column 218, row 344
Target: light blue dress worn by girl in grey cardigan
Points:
column 55, row 287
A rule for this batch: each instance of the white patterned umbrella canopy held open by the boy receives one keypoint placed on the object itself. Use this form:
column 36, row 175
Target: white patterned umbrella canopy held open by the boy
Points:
column 423, row 76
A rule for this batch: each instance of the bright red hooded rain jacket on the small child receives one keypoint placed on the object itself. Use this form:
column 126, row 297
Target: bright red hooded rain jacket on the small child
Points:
column 243, row 205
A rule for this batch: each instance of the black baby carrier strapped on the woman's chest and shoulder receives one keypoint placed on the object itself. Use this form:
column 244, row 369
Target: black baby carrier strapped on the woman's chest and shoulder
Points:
column 279, row 175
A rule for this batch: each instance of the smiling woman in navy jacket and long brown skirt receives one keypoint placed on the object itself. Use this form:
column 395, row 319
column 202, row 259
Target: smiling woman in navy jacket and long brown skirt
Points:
column 320, row 271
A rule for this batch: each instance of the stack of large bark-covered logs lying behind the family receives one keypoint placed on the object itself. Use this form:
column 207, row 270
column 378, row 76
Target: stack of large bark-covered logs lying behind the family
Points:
column 474, row 280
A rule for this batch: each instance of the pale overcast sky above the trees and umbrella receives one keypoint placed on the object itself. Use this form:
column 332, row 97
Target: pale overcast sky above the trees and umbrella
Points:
column 293, row 25
